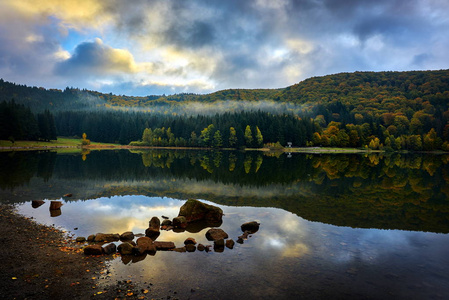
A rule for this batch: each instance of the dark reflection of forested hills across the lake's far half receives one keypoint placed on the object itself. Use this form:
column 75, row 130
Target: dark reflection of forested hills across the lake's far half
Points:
column 383, row 191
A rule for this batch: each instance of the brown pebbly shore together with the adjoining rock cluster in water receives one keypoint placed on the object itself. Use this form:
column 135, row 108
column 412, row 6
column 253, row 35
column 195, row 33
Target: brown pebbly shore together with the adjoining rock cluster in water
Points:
column 44, row 262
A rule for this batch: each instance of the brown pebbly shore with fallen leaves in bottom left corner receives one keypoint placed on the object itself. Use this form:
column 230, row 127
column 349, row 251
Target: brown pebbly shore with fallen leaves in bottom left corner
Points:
column 42, row 262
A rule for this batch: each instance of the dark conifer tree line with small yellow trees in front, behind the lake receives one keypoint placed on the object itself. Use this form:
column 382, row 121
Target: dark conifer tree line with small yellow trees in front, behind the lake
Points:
column 227, row 130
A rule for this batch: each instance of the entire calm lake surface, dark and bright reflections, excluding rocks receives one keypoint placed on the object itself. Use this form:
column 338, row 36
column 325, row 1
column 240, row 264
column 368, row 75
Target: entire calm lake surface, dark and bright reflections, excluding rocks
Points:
column 339, row 226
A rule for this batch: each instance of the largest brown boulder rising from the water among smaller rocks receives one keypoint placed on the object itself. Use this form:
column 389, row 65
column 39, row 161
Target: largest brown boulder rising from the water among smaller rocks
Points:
column 194, row 210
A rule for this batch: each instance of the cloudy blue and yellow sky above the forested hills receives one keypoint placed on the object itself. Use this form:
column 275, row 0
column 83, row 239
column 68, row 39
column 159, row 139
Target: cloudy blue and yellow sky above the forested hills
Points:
column 144, row 47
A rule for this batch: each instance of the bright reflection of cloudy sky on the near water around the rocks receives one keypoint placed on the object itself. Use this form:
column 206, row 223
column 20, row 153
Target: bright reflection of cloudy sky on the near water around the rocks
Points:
column 288, row 257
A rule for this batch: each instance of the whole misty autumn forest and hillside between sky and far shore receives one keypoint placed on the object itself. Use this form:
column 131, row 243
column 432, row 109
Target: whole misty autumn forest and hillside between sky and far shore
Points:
column 377, row 110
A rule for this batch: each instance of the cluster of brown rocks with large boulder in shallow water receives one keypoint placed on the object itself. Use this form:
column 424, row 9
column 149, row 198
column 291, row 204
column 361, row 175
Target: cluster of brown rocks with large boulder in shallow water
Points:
column 192, row 212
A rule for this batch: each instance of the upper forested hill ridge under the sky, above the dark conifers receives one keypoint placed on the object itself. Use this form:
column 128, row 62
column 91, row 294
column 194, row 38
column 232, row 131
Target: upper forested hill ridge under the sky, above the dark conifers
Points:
column 359, row 92
